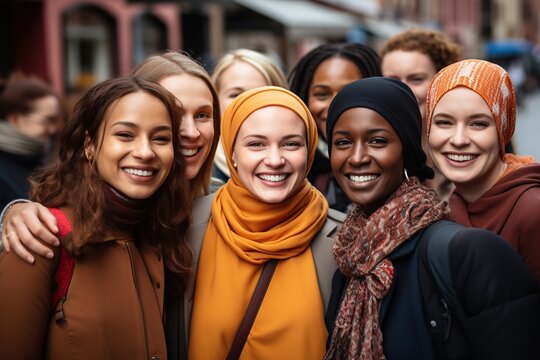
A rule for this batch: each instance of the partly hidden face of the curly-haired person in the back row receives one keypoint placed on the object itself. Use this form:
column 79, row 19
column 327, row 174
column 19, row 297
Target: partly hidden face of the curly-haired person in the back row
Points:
column 414, row 69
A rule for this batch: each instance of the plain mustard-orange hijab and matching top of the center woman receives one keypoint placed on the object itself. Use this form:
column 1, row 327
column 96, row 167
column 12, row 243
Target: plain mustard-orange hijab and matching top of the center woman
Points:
column 245, row 232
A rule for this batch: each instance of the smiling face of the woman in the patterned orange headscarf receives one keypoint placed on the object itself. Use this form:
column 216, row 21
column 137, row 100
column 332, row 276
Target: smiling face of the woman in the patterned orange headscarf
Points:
column 464, row 143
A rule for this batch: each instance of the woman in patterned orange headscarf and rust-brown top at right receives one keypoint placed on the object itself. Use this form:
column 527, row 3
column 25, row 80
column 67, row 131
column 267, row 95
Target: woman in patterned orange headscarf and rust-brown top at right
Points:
column 471, row 115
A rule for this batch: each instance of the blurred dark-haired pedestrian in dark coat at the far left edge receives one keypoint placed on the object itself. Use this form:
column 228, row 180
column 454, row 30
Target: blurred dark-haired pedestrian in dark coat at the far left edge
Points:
column 29, row 116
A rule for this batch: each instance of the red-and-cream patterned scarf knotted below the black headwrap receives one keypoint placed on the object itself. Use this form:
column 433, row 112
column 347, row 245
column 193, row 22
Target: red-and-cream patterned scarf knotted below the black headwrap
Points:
column 362, row 247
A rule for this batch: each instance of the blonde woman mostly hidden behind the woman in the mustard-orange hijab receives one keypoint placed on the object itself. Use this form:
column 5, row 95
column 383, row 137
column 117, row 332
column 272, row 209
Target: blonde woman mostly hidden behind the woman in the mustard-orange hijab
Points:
column 236, row 72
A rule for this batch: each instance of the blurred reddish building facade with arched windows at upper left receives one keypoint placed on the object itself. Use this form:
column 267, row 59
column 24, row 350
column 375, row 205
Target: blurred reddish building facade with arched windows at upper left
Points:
column 74, row 44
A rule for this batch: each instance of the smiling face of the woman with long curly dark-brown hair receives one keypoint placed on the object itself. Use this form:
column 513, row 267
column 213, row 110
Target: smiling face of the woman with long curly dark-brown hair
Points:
column 136, row 153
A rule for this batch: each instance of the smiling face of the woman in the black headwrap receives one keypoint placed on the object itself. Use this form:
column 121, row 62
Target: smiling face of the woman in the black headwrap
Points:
column 367, row 157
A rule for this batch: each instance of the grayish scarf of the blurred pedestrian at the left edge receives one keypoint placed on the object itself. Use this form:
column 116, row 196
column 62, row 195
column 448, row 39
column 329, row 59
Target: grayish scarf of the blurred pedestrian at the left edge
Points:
column 15, row 142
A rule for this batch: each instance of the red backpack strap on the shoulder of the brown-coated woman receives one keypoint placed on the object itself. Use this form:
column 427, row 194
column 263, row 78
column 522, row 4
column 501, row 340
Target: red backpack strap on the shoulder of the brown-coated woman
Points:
column 64, row 270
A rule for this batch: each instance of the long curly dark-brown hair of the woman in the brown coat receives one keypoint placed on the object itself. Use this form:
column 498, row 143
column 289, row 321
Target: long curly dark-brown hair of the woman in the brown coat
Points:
column 72, row 181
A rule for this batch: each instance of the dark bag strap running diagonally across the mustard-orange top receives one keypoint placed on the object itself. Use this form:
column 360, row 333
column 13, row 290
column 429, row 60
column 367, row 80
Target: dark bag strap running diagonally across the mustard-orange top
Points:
column 252, row 310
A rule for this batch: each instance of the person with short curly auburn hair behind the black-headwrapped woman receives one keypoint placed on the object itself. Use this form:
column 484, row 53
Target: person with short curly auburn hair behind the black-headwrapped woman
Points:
column 414, row 56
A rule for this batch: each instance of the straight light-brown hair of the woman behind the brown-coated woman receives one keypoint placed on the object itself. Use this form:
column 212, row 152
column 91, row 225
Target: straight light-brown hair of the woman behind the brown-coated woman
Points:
column 158, row 67
